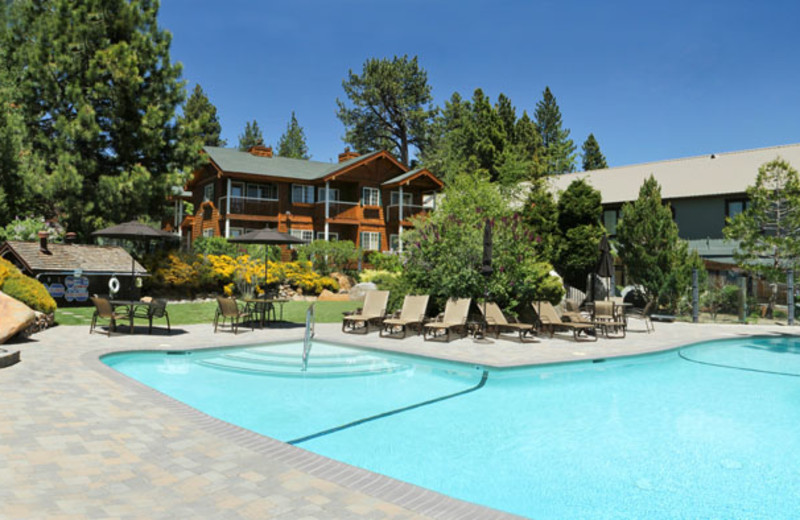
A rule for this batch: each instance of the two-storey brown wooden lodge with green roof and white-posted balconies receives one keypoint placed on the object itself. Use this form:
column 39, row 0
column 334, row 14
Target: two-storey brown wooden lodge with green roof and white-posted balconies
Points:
column 367, row 199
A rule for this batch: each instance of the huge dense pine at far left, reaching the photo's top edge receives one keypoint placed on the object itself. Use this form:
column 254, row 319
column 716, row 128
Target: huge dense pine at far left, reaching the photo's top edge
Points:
column 97, row 92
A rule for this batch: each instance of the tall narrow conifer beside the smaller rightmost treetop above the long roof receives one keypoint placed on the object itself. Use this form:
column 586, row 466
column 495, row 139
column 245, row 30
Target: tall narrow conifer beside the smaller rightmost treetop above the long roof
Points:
column 559, row 150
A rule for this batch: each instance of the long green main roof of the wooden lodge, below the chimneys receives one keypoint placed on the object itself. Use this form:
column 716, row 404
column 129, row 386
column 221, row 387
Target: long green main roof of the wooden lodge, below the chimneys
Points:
column 233, row 160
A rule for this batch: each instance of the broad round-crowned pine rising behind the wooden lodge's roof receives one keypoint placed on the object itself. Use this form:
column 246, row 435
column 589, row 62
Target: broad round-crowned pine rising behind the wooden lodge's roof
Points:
column 389, row 107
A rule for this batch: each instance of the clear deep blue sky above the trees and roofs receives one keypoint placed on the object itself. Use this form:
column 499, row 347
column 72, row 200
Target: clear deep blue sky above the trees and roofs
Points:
column 651, row 80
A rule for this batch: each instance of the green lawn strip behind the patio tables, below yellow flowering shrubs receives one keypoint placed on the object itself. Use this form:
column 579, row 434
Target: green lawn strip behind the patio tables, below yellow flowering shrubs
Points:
column 203, row 312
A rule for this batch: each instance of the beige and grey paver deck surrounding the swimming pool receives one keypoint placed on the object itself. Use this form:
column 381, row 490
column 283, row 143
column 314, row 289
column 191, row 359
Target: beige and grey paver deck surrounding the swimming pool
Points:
column 79, row 440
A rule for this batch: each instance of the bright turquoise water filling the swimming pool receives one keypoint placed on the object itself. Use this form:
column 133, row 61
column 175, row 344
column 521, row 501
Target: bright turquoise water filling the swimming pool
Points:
column 708, row 431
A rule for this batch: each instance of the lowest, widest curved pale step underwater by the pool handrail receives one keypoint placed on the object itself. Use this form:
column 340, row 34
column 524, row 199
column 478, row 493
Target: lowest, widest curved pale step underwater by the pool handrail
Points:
column 284, row 369
